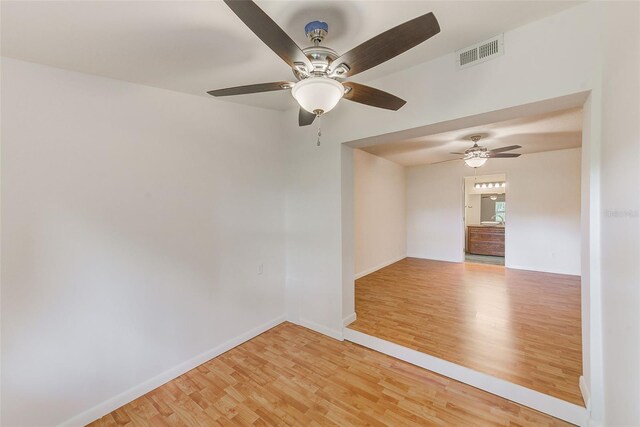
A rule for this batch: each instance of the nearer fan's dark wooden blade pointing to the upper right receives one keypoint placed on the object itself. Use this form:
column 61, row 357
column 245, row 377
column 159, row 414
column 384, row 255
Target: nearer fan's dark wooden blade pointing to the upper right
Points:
column 388, row 45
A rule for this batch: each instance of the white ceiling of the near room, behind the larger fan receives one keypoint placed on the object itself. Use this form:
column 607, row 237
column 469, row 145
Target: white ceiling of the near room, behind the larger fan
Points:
column 195, row 46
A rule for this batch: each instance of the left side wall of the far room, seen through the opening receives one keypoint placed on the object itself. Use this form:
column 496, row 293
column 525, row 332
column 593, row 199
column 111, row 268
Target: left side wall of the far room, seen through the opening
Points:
column 379, row 205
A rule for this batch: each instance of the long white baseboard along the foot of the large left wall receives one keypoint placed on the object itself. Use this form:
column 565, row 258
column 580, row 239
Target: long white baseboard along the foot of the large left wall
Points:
column 133, row 393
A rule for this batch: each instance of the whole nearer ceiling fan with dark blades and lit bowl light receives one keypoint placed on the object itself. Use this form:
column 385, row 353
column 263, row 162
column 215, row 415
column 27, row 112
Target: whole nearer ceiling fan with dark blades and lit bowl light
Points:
column 320, row 72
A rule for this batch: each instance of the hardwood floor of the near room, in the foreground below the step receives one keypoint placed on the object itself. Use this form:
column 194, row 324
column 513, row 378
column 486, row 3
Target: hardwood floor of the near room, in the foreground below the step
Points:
column 293, row 376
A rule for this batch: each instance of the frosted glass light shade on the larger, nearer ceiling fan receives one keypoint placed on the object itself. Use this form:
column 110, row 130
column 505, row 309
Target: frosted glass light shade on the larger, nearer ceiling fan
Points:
column 318, row 94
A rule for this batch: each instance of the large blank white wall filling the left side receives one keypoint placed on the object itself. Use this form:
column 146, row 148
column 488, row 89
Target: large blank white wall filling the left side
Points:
column 134, row 220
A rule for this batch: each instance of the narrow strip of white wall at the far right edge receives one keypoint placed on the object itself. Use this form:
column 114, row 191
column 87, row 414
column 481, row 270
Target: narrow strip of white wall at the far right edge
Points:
column 620, row 227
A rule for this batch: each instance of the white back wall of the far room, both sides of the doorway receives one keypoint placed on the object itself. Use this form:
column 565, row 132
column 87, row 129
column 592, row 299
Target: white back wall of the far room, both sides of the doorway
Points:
column 543, row 210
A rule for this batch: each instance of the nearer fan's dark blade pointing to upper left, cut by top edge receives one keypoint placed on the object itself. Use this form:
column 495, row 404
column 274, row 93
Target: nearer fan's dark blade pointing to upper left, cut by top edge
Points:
column 269, row 32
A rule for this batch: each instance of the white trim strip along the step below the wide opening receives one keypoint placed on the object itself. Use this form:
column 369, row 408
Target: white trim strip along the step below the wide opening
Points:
column 533, row 399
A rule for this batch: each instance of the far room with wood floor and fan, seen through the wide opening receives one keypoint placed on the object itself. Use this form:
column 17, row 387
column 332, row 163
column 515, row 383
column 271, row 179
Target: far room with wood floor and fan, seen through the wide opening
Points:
column 467, row 248
